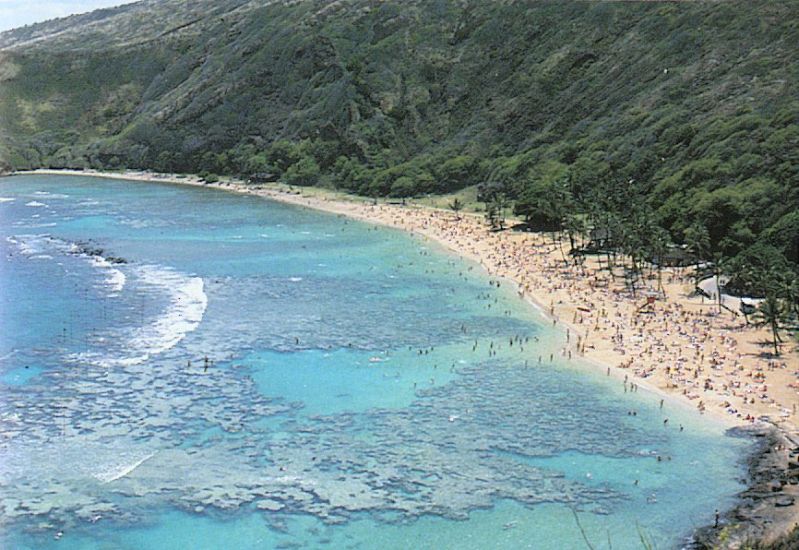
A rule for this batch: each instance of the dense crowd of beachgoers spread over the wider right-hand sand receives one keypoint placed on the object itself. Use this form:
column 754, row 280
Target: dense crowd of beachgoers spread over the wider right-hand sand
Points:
column 677, row 341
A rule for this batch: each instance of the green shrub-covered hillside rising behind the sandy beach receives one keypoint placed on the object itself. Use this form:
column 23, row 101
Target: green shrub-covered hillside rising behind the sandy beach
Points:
column 657, row 123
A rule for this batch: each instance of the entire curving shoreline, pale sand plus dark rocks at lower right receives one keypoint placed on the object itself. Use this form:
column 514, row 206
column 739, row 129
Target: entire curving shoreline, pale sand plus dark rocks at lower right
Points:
column 631, row 347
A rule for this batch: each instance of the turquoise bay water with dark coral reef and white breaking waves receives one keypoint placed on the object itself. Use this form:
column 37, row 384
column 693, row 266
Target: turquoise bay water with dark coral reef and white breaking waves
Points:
column 188, row 368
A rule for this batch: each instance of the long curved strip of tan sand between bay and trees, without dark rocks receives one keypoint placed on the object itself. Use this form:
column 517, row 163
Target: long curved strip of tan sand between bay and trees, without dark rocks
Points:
column 680, row 346
